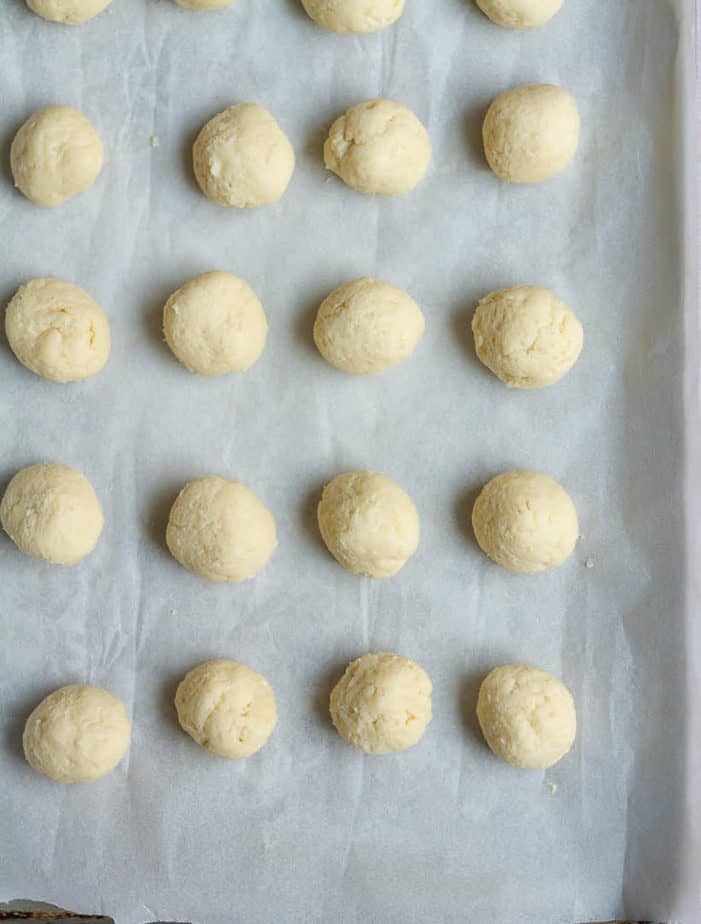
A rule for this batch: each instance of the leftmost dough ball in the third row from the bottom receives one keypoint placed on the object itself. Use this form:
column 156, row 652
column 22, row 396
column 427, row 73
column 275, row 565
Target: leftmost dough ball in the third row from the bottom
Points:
column 57, row 330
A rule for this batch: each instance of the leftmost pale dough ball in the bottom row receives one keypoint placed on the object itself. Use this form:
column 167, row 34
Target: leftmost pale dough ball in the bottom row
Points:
column 77, row 734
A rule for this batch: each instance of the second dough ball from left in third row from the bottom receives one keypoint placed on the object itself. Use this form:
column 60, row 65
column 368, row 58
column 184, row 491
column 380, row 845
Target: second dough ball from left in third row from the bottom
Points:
column 215, row 324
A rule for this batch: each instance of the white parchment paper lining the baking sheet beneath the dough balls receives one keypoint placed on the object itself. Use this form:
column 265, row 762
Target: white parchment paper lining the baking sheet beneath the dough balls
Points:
column 309, row 830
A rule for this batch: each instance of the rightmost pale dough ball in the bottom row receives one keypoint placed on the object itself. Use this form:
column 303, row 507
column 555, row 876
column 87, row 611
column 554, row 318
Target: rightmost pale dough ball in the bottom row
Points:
column 527, row 716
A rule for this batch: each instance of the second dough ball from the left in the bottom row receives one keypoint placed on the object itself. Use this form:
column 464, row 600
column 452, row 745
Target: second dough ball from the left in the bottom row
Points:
column 227, row 708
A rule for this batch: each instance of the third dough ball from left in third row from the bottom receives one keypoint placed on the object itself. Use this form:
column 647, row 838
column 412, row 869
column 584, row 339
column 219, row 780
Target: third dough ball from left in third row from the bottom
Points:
column 367, row 326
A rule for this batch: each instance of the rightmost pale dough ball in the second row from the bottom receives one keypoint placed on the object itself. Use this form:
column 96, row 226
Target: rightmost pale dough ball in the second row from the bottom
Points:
column 525, row 521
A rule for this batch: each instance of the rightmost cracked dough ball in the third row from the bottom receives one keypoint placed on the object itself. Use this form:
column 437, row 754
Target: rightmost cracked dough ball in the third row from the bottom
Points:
column 527, row 336
